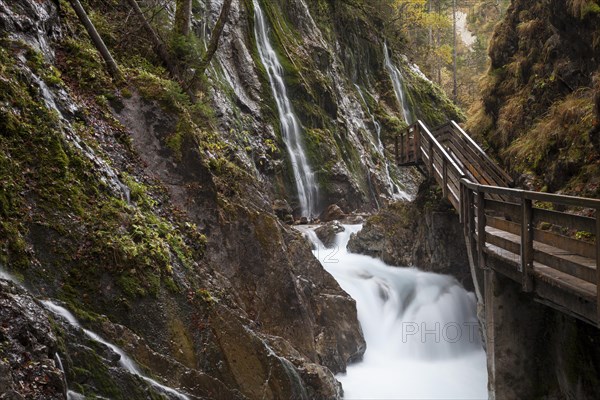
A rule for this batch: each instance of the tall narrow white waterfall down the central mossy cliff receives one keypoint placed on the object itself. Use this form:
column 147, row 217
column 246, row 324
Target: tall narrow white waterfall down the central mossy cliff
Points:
column 291, row 131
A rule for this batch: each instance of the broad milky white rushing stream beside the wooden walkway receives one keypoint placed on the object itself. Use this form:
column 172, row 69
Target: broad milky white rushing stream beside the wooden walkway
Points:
column 421, row 329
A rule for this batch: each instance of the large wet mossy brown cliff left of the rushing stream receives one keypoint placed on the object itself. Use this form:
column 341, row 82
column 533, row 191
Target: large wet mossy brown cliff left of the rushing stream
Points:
column 150, row 214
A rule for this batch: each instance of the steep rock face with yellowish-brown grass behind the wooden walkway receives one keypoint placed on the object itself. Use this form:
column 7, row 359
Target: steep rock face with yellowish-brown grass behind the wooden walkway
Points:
column 536, row 111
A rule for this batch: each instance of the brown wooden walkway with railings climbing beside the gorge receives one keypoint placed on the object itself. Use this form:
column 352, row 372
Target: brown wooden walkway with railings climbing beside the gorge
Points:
column 524, row 235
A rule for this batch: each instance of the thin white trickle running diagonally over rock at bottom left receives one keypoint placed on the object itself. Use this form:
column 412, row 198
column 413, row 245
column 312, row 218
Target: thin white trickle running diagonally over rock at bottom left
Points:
column 126, row 362
